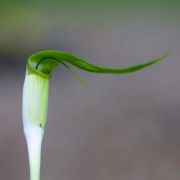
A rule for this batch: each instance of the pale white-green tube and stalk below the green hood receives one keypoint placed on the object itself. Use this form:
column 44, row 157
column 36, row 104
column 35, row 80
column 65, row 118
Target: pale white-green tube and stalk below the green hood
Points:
column 35, row 103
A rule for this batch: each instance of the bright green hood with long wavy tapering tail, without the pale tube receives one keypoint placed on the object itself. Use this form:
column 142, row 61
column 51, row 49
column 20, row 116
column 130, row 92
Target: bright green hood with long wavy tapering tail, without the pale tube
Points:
column 45, row 61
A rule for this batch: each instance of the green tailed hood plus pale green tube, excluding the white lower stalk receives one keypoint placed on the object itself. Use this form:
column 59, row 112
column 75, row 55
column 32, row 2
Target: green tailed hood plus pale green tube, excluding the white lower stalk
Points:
column 39, row 68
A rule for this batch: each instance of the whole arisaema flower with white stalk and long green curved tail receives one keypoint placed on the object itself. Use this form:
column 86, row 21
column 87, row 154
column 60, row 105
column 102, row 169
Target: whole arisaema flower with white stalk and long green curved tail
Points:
column 35, row 94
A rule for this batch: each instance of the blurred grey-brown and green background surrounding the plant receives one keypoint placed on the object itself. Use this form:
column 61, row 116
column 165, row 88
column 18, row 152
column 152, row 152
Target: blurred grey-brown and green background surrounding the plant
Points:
column 117, row 127
